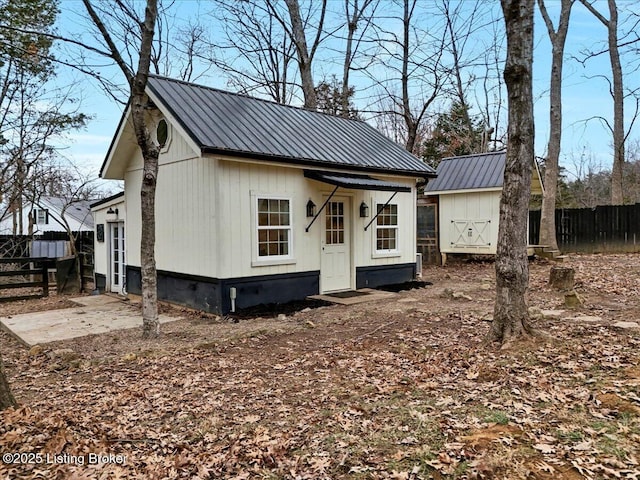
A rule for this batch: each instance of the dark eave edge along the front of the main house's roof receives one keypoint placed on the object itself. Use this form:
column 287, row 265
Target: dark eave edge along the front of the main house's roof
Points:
column 305, row 162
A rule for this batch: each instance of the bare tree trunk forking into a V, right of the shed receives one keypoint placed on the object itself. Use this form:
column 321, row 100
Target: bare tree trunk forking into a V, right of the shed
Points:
column 558, row 38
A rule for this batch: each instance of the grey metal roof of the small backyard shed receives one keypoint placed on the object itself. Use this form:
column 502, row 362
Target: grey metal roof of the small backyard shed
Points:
column 480, row 170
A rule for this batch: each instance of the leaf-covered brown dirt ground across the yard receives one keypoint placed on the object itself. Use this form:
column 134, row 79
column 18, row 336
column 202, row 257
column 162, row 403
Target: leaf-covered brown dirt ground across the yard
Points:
column 402, row 388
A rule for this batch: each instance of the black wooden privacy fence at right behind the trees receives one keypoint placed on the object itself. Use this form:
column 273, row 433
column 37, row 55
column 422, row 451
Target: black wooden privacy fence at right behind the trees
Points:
column 591, row 230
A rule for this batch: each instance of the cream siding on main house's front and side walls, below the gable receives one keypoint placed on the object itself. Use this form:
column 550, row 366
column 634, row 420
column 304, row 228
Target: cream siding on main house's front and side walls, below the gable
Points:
column 206, row 218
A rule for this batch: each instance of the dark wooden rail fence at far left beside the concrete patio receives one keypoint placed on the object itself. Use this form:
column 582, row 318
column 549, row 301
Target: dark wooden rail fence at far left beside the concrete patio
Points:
column 18, row 273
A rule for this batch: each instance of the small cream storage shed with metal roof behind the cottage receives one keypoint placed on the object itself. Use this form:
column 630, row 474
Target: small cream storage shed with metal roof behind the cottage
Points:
column 468, row 191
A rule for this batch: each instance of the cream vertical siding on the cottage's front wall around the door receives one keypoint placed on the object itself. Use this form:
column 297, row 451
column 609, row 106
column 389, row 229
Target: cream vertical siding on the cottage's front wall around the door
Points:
column 240, row 184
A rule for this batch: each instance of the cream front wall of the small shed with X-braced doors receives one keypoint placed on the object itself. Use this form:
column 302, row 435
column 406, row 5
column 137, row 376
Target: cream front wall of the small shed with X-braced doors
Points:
column 469, row 222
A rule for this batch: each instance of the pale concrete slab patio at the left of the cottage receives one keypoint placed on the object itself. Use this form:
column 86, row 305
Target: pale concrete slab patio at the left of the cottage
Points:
column 94, row 314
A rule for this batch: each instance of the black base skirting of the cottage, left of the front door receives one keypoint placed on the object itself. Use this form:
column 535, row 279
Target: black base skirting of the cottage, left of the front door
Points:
column 213, row 295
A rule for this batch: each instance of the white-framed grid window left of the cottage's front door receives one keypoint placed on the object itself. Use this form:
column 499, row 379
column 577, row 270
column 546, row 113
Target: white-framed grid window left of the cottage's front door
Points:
column 274, row 228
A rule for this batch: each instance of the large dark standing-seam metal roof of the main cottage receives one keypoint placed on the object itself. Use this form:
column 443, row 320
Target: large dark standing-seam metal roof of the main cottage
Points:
column 227, row 123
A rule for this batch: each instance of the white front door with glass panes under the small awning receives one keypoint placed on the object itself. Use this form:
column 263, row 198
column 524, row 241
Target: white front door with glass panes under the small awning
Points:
column 335, row 265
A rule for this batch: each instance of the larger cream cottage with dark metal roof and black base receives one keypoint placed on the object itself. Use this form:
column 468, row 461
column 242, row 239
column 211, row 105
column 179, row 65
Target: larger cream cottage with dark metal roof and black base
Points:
column 259, row 202
